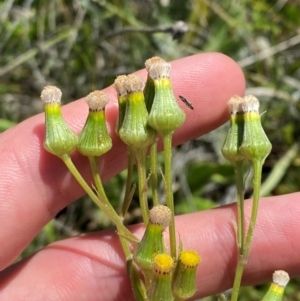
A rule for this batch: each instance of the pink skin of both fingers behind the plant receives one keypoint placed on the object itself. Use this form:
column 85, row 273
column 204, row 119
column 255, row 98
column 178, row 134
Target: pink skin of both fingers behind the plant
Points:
column 35, row 185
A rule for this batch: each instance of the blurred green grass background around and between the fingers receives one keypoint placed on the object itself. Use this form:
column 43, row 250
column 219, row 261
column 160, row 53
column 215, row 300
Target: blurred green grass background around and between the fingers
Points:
column 83, row 45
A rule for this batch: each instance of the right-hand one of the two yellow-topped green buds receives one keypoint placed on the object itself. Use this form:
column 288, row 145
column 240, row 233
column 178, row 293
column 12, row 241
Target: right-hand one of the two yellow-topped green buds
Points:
column 184, row 283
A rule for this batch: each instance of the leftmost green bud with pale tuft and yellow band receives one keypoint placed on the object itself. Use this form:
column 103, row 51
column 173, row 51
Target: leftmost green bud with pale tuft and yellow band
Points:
column 59, row 138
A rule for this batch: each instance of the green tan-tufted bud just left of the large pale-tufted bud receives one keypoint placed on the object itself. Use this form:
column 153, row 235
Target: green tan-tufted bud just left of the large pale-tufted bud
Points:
column 135, row 131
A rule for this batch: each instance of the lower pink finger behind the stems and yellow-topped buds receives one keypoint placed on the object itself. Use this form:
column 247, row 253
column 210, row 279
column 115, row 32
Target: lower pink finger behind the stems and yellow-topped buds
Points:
column 92, row 267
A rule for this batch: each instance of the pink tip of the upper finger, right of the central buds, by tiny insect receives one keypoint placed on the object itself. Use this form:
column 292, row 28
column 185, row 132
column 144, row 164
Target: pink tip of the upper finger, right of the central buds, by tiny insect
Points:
column 207, row 80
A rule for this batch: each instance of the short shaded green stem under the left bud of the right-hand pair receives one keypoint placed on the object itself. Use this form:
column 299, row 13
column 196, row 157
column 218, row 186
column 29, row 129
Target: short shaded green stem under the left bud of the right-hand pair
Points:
column 240, row 205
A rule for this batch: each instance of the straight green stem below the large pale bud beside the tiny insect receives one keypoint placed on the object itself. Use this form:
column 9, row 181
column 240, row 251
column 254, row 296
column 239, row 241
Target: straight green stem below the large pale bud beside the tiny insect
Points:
column 167, row 141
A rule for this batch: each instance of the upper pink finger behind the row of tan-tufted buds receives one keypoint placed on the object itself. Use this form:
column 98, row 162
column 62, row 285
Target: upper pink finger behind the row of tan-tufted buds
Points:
column 35, row 185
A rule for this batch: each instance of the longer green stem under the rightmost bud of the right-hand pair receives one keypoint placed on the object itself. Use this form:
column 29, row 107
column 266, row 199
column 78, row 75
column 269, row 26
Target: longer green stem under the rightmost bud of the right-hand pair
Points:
column 257, row 167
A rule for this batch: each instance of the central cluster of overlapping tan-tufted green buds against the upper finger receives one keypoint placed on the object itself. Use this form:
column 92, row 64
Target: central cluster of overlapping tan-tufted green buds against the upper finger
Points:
column 143, row 110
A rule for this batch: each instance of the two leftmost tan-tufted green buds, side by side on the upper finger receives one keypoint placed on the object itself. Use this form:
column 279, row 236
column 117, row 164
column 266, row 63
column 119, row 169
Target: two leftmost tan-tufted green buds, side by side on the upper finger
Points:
column 60, row 140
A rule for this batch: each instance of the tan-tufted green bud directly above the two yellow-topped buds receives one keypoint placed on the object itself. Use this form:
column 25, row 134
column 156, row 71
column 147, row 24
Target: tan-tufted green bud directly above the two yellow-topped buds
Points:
column 152, row 241
